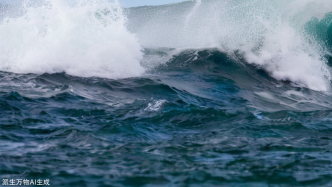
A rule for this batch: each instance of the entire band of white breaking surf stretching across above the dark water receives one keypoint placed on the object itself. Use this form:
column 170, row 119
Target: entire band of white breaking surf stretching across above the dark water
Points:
column 291, row 40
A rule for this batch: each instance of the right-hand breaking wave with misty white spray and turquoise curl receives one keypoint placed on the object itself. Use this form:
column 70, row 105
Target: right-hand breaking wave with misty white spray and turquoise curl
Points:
column 277, row 36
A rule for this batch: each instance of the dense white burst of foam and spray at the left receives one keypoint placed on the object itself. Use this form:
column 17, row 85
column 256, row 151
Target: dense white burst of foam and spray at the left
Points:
column 81, row 38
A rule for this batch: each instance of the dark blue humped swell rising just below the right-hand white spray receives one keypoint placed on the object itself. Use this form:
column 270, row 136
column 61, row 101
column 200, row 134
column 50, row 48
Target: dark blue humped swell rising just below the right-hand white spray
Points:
column 254, row 83
